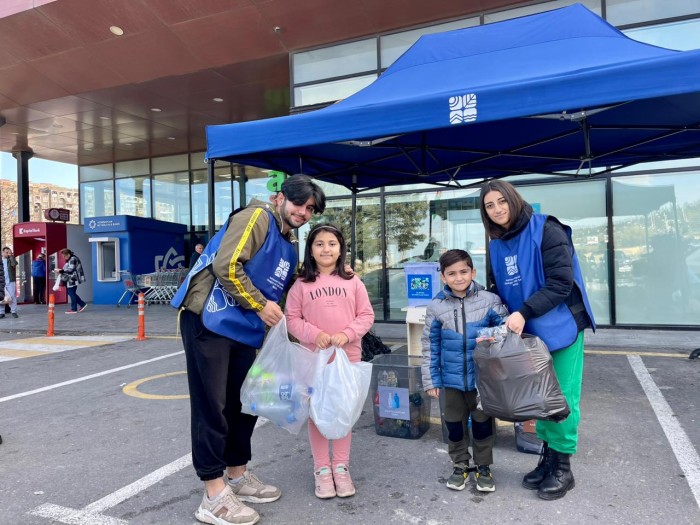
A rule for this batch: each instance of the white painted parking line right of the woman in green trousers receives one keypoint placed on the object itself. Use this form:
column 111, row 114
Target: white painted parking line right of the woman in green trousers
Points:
column 687, row 456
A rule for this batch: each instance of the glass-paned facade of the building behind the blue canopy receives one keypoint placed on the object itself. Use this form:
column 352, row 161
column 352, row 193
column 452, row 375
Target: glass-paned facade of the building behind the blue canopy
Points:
column 637, row 233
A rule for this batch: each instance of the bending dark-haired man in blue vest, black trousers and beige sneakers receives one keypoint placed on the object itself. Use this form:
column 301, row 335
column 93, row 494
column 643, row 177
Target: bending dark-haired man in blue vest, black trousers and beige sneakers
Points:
column 228, row 298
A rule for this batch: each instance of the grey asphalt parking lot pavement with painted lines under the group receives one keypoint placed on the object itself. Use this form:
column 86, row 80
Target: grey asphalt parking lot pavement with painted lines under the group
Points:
column 95, row 427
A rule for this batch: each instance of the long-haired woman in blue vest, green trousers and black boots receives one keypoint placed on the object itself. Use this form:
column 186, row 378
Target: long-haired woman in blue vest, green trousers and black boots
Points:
column 536, row 272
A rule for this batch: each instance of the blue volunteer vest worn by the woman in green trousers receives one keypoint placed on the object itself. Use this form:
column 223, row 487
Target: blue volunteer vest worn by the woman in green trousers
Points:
column 518, row 270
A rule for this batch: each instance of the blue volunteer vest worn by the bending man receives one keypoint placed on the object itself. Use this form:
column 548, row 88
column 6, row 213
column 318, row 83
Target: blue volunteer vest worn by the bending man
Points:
column 270, row 270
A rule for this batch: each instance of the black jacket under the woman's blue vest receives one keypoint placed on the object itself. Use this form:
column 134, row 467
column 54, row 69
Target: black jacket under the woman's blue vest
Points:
column 558, row 269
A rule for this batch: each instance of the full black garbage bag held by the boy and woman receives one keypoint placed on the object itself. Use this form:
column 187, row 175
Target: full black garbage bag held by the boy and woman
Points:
column 516, row 379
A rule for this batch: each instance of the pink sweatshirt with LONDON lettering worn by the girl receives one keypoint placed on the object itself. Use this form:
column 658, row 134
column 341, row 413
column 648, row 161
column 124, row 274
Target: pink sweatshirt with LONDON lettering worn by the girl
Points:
column 330, row 304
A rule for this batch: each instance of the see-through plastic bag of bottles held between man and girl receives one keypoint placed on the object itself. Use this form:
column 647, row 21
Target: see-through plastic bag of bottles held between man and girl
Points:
column 279, row 384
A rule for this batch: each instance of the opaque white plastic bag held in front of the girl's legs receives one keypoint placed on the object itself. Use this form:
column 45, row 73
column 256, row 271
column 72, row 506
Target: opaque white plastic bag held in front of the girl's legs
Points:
column 340, row 390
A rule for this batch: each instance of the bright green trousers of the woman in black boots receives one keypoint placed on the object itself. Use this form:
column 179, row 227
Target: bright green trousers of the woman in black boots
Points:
column 568, row 365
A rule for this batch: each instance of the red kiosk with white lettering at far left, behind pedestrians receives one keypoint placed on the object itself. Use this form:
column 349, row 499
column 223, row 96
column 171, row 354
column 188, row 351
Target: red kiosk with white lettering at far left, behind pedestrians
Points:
column 50, row 237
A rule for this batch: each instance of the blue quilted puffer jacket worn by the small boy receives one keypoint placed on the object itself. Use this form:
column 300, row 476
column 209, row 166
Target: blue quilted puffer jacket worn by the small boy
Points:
column 449, row 336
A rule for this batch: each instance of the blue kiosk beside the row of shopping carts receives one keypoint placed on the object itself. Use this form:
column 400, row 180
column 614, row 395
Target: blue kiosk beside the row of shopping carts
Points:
column 124, row 246
